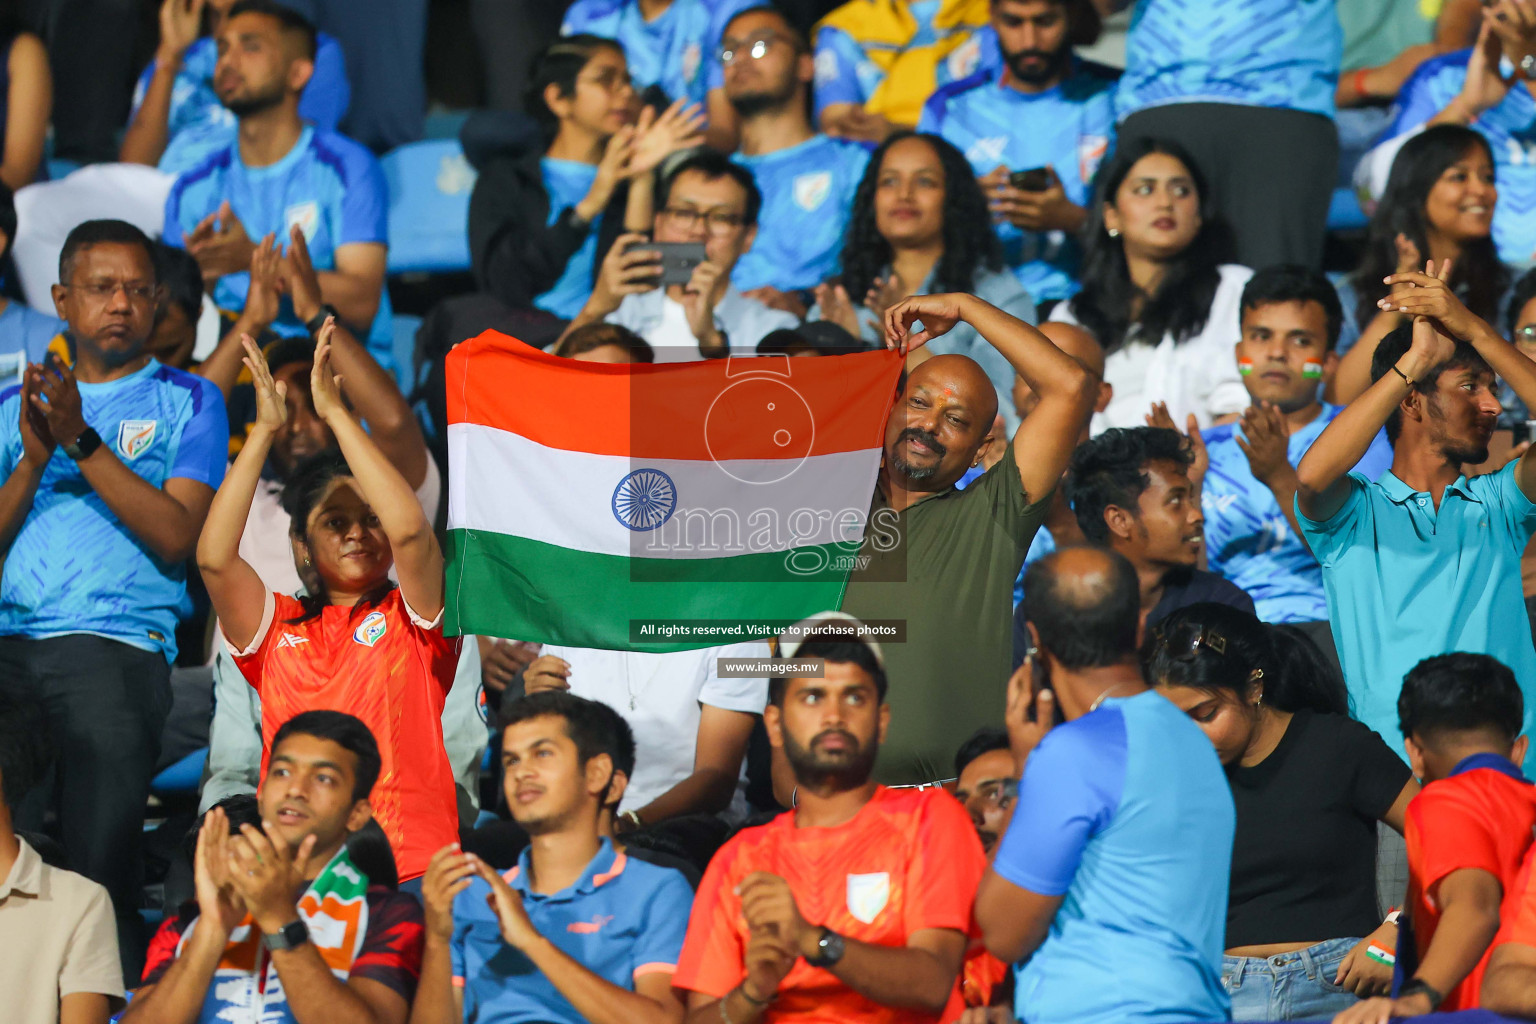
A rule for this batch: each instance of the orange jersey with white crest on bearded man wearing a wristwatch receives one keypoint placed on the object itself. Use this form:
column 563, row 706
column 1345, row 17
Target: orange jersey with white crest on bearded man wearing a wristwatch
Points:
column 910, row 860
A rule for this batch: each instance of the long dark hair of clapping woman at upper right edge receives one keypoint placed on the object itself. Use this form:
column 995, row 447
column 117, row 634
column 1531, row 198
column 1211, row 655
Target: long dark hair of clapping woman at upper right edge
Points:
column 1480, row 277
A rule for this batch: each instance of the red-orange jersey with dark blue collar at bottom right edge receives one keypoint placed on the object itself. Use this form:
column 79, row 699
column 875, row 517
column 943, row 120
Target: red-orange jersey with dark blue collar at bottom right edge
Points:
column 1481, row 816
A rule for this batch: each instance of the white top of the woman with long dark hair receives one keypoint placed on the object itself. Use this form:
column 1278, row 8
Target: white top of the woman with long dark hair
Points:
column 1199, row 375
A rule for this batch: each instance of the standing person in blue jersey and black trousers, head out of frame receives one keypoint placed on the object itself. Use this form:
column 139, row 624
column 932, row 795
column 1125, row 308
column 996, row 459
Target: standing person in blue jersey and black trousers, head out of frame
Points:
column 1248, row 88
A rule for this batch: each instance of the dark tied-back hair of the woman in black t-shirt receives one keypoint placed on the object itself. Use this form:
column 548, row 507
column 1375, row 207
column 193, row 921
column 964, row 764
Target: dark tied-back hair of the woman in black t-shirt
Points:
column 1217, row 647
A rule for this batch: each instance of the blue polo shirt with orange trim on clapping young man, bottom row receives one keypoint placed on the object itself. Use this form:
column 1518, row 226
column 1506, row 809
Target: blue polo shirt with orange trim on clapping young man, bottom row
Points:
column 623, row 920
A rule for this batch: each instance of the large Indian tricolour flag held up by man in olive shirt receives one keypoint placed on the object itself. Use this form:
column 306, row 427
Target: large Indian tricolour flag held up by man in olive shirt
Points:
column 654, row 506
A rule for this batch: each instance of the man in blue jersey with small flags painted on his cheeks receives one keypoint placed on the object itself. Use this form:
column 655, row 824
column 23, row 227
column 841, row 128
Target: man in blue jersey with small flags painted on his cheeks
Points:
column 1291, row 323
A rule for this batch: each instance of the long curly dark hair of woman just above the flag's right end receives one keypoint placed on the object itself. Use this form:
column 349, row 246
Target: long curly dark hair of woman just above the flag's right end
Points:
column 970, row 240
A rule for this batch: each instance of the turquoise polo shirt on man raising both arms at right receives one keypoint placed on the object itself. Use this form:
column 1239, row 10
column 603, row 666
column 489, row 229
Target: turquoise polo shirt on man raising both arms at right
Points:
column 1406, row 583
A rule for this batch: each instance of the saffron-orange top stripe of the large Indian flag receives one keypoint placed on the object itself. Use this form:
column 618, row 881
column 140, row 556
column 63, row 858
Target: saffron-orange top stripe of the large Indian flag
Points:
column 753, row 408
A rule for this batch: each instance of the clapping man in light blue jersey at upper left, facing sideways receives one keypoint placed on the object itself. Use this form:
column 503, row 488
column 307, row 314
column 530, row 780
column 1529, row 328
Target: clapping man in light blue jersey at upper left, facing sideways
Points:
column 283, row 173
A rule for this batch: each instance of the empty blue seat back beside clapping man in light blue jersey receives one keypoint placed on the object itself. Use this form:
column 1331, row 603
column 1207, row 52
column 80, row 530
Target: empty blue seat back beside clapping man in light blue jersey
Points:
column 429, row 206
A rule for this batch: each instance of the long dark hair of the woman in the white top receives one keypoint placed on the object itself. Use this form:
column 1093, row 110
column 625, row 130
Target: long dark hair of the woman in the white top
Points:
column 1183, row 302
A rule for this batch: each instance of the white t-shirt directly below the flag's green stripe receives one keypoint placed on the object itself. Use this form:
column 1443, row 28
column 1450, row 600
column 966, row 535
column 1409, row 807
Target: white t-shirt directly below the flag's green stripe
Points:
column 661, row 696
